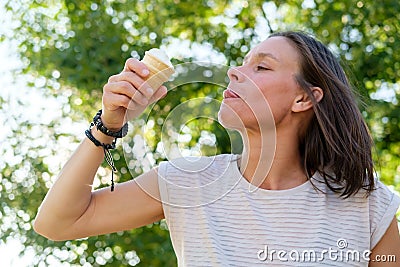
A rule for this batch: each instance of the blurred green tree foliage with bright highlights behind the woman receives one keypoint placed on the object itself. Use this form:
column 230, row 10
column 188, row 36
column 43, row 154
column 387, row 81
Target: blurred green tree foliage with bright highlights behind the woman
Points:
column 76, row 45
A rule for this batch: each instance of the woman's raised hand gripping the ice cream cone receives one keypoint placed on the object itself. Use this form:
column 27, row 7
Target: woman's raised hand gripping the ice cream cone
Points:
column 126, row 95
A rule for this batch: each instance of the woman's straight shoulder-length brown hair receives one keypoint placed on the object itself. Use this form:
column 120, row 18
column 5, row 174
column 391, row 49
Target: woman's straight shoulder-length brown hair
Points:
column 337, row 142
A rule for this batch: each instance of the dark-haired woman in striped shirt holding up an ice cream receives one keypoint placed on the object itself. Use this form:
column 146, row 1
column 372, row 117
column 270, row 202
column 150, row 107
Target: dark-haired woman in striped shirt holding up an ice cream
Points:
column 302, row 190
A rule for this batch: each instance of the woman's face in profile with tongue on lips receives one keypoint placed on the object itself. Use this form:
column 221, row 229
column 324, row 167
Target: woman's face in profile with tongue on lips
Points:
column 262, row 91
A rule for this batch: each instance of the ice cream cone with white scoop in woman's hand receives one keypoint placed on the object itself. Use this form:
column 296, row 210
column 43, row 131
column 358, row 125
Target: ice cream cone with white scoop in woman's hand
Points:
column 160, row 67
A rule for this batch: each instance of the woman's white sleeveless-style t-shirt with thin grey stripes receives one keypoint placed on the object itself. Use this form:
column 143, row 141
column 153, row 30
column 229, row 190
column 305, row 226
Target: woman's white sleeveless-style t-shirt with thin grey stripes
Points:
column 217, row 218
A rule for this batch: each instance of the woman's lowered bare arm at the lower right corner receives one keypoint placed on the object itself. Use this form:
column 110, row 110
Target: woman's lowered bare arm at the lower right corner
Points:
column 387, row 251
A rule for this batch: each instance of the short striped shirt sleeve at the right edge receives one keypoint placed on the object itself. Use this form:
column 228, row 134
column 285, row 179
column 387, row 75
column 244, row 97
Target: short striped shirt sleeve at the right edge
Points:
column 383, row 205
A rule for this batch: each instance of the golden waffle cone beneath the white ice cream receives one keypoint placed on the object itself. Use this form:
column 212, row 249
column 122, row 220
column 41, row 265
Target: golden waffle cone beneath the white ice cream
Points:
column 159, row 71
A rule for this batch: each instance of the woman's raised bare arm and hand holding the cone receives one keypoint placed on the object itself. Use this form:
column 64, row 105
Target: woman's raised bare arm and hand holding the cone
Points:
column 71, row 209
